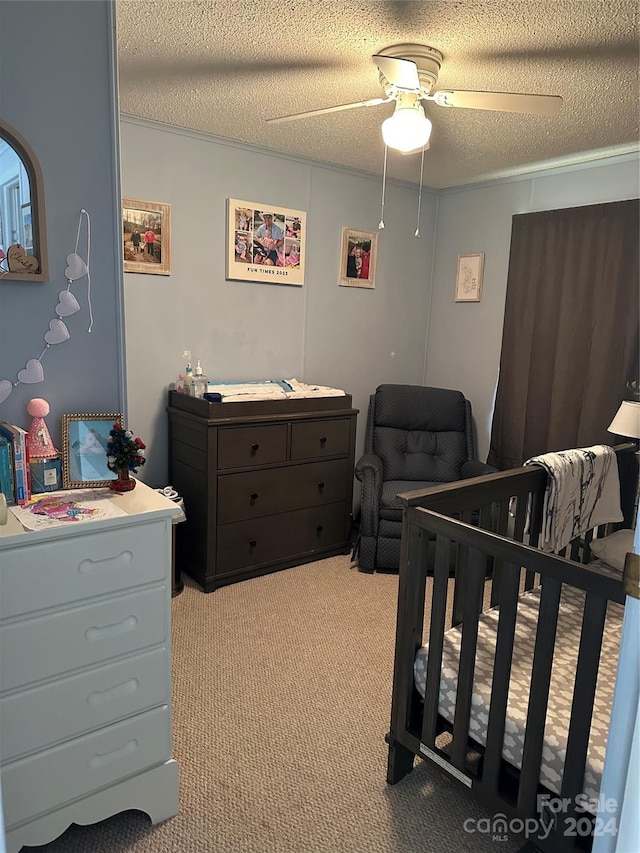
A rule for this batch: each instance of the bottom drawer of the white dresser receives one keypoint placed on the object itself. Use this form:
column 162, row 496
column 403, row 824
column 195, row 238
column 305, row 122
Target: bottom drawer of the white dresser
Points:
column 31, row 786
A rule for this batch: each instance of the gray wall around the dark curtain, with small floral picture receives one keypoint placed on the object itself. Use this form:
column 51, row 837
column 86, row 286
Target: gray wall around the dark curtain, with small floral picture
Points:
column 464, row 339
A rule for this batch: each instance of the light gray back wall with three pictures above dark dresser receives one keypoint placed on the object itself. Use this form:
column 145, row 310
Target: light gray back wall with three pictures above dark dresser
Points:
column 349, row 338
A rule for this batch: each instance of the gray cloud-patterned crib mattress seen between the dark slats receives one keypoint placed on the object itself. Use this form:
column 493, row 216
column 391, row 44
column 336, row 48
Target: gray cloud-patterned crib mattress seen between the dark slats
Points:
column 561, row 689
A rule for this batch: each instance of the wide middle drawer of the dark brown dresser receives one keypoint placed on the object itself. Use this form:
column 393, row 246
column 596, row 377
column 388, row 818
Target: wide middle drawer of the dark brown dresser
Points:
column 266, row 492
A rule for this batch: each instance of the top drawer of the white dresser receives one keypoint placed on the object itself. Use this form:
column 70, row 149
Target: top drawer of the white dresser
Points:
column 80, row 566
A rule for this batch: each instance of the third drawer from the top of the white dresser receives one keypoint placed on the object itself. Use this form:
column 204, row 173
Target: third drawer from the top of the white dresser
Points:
column 57, row 711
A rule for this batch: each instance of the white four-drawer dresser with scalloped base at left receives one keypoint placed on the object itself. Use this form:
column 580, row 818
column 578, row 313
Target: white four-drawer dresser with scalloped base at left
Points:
column 85, row 670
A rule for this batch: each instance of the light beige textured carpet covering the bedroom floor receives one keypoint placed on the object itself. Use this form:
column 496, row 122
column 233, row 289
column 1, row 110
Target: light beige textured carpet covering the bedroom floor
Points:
column 282, row 691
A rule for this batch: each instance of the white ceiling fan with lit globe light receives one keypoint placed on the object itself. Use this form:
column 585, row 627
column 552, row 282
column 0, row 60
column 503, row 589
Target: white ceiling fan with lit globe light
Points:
column 408, row 74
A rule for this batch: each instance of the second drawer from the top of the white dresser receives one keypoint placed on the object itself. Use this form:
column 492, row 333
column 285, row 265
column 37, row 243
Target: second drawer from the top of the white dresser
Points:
column 46, row 646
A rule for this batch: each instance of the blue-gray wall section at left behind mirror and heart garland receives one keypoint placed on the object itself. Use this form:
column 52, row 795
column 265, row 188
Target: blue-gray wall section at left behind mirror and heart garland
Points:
column 57, row 89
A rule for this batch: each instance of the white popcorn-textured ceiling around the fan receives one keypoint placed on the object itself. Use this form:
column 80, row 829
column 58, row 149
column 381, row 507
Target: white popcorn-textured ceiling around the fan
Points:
column 225, row 67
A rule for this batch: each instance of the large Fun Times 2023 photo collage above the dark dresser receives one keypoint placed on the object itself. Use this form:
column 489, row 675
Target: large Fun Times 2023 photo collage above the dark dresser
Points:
column 265, row 243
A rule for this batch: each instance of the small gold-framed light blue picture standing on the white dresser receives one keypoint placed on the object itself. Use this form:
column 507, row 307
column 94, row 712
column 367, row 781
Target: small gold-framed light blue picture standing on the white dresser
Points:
column 84, row 449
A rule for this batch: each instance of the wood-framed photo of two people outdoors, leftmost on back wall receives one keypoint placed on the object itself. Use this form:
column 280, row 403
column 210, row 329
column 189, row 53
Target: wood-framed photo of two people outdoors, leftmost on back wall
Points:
column 146, row 236
